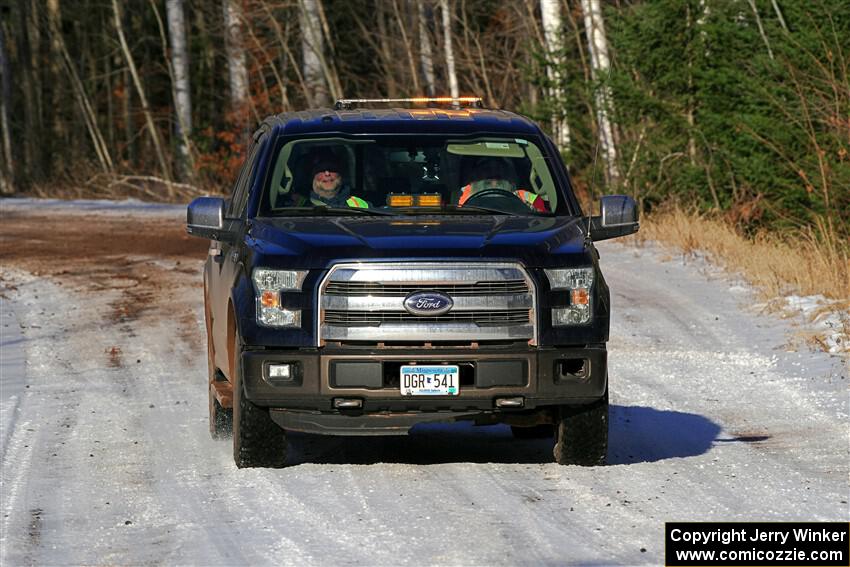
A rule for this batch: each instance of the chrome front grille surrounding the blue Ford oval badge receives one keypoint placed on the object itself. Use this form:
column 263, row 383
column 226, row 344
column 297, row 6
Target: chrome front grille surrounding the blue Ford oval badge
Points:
column 364, row 302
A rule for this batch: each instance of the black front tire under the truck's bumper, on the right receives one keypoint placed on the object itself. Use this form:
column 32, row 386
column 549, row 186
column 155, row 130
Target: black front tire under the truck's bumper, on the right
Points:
column 581, row 434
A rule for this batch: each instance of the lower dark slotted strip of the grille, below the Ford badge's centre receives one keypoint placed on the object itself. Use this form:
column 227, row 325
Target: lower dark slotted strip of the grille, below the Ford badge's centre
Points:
column 506, row 317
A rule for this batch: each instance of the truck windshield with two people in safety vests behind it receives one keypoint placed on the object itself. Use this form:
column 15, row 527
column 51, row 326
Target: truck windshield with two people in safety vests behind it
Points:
column 409, row 175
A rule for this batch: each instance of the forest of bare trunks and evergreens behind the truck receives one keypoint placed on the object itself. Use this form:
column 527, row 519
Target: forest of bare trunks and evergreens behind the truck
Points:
column 735, row 111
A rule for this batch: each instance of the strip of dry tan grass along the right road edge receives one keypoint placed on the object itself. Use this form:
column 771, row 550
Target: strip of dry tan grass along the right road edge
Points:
column 813, row 261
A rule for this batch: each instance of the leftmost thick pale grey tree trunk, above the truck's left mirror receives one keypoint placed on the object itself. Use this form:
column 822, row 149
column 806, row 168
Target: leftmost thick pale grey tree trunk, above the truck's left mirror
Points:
column 182, row 92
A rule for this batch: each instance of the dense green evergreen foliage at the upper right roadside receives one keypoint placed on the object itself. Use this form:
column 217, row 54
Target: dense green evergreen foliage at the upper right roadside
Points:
column 736, row 110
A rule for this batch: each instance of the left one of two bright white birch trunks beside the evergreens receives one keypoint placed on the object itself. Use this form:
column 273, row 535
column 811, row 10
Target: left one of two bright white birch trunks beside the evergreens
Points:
column 550, row 12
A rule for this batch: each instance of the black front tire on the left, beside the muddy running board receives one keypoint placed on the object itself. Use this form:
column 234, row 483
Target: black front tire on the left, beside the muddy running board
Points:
column 257, row 440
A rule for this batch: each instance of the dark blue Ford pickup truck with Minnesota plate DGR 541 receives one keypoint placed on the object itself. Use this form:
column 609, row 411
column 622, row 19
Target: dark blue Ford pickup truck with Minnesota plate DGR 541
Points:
column 378, row 268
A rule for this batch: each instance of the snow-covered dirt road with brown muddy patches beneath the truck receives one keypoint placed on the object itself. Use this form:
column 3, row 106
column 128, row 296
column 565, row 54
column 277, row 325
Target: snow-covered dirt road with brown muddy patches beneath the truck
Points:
column 106, row 457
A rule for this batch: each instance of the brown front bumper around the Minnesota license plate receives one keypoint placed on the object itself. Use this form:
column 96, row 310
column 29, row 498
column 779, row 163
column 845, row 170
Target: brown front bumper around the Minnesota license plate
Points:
column 541, row 377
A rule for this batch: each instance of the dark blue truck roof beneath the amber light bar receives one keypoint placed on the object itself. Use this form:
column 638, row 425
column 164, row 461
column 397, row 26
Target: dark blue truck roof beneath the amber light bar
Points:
column 404, row 121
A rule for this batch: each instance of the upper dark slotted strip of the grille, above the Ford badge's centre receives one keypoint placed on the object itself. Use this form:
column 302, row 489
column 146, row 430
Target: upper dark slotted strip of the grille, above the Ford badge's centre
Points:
column 364, row 289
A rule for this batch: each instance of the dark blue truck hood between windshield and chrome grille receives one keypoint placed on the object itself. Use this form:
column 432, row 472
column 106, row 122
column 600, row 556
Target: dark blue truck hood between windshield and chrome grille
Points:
column 316, row 242
